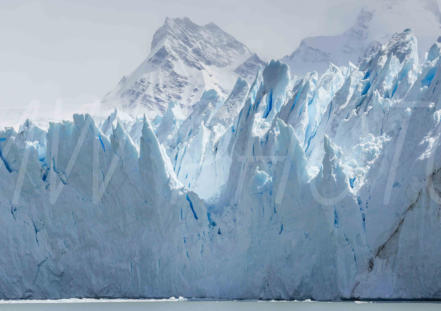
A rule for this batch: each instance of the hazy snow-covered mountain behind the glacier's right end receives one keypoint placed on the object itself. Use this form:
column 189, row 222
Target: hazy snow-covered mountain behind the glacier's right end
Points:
column 373, row 26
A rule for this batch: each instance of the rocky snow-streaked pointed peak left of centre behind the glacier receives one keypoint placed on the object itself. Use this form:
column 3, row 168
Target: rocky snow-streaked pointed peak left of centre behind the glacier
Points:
column 184, row 61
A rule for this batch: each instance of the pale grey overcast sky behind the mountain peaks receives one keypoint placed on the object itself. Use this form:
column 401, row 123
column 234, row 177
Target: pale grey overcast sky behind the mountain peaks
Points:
column 78, row 50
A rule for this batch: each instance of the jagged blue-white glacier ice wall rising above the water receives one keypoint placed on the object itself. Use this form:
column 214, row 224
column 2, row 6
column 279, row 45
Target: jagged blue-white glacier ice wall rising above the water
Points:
column 326, row 187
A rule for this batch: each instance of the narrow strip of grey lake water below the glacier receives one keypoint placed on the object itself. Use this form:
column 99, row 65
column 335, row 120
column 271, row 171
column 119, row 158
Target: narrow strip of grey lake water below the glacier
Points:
column 128, row 305
